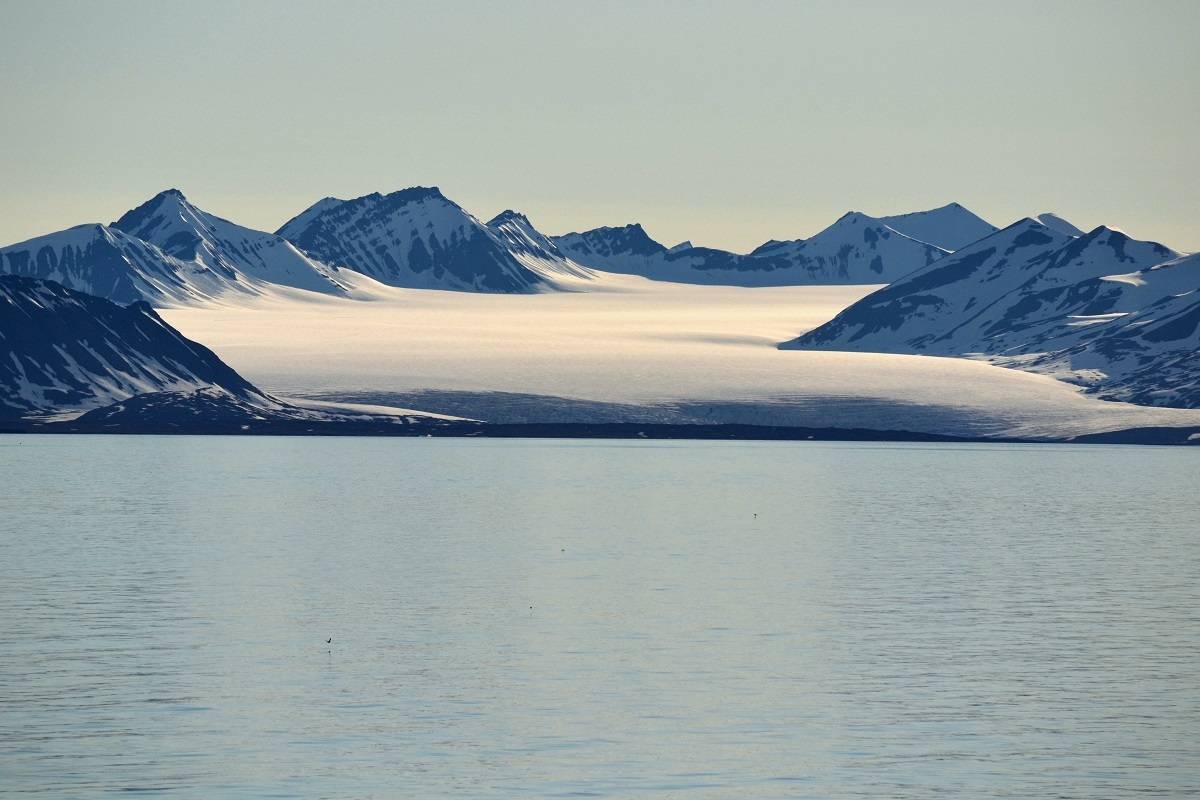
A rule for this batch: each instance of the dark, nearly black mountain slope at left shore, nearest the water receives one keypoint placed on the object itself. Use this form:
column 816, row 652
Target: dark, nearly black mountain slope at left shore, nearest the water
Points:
column 68, row 351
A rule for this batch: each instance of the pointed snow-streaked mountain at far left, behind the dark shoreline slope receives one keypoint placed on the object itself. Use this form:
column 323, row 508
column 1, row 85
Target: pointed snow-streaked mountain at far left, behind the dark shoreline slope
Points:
column 167, row 252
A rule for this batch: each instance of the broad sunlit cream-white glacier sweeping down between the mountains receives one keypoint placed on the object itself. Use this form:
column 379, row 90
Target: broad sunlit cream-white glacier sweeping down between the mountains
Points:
column 682, row 352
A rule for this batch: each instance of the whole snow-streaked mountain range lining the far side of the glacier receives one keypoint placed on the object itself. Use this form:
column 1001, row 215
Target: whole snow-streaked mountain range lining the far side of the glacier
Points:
column 170, row 252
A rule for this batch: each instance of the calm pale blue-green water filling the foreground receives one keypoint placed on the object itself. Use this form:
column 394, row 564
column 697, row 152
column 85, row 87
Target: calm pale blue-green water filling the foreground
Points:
column 597, row 619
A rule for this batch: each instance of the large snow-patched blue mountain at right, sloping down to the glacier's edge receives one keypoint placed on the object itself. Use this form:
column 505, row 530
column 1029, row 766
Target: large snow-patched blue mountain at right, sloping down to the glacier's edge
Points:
column 1113, row 314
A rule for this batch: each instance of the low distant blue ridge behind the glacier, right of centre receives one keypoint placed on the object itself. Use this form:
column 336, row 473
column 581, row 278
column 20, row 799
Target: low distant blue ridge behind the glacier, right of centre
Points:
column 857, row 249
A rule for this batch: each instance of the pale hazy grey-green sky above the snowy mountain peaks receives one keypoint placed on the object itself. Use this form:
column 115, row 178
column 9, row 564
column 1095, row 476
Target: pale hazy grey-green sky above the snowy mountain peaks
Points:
column 727, row 124
